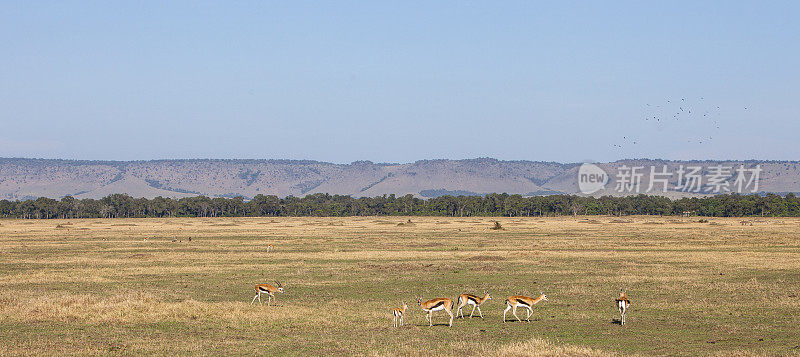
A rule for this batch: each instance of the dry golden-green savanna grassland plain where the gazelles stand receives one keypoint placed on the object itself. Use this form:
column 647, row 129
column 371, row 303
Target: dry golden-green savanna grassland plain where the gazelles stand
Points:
column 140, row 286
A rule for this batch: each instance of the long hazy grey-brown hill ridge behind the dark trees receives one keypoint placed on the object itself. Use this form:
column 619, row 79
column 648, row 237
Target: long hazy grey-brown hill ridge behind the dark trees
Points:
column 22, row 178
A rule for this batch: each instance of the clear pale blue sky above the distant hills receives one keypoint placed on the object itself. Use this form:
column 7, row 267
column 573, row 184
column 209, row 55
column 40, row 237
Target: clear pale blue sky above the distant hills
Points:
column 398, row 81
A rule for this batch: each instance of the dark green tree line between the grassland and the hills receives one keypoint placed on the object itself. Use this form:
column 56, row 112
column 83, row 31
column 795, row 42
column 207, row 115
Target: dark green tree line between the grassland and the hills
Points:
column 122, row 206
